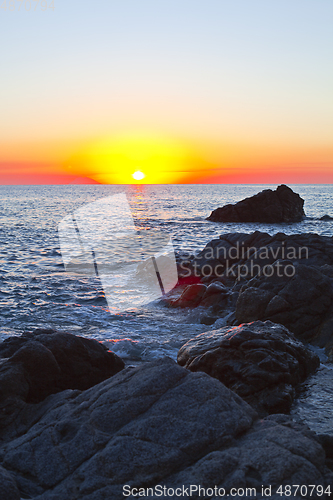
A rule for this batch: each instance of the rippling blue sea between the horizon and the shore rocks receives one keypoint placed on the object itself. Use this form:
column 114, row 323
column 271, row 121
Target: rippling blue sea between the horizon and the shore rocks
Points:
column 37, row 291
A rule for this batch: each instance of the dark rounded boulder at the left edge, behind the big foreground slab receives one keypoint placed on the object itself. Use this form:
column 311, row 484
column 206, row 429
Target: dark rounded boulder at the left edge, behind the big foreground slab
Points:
column 45, row 362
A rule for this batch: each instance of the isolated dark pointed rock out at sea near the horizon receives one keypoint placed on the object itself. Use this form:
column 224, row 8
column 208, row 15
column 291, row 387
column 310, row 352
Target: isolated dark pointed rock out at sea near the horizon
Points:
column 281, row 205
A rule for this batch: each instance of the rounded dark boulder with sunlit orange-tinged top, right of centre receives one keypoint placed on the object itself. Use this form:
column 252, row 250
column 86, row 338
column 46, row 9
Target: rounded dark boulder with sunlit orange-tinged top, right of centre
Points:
column 261, row 362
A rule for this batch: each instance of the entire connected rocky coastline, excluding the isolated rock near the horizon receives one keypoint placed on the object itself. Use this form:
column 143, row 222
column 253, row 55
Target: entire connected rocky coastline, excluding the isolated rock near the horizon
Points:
column 77, row 424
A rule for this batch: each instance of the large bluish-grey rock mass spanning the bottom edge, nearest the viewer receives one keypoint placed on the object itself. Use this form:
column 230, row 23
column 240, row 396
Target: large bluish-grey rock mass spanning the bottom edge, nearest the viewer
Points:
column 157, row 424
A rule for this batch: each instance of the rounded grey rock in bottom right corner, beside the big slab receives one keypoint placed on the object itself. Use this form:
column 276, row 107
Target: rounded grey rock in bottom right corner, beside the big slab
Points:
column 244, row 465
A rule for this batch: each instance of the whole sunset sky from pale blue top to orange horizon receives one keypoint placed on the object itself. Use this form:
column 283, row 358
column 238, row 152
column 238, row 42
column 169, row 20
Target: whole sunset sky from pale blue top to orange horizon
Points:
column 183, row 91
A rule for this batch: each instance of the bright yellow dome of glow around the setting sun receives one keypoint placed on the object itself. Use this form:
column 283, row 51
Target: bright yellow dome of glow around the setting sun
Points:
column 116, row 160
